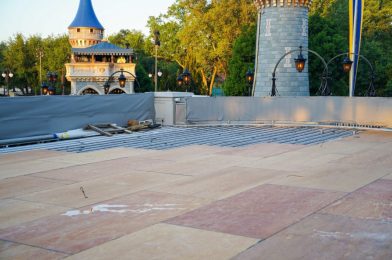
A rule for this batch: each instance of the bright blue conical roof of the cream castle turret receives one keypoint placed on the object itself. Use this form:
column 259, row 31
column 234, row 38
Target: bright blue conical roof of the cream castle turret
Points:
column 85, row 16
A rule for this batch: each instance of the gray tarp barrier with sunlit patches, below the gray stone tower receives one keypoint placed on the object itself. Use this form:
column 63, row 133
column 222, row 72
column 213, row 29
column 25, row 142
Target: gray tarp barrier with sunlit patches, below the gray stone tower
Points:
column 360, row 110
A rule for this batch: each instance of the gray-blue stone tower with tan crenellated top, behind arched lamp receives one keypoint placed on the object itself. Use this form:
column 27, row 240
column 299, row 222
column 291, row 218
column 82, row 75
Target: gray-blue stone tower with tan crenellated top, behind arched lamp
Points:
column 282, row 27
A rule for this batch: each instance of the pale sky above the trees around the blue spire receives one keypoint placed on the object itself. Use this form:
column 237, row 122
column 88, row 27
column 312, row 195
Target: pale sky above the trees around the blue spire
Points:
column 47, row 17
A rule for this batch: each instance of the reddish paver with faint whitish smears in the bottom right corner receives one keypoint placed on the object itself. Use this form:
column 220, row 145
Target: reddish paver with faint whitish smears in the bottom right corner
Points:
column 327, row 237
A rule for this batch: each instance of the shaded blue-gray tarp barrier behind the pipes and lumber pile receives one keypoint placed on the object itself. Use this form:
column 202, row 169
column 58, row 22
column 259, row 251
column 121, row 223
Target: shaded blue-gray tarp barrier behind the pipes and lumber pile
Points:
column 41, row 115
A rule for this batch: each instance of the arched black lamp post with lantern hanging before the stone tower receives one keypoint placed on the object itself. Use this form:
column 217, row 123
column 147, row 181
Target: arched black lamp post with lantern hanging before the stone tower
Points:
column 300, row 66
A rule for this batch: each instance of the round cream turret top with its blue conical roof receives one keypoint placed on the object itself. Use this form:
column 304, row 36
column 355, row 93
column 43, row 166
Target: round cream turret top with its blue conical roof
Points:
column 85, row 30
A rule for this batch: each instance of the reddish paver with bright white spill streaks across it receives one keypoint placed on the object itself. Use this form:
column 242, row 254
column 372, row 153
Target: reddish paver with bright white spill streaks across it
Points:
column 80, row 229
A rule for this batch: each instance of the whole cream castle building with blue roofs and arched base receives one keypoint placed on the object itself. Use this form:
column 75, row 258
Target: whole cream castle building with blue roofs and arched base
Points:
column 94, row 61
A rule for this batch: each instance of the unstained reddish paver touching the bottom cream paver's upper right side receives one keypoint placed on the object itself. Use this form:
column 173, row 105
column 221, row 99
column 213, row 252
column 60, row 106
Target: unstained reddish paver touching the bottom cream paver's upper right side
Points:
column 259, row 212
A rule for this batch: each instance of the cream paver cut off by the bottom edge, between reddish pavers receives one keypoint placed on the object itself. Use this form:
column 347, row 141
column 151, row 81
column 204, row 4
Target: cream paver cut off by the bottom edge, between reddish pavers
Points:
column 163, row 241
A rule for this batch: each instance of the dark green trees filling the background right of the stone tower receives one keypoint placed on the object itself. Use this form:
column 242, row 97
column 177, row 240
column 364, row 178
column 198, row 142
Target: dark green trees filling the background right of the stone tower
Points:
column 328, row 35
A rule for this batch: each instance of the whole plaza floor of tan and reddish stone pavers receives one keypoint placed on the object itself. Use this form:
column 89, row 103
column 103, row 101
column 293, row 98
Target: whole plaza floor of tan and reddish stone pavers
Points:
column 265, row 199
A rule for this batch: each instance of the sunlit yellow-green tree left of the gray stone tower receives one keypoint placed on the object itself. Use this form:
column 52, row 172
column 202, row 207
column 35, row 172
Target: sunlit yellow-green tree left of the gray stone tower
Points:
column 203, row 33
